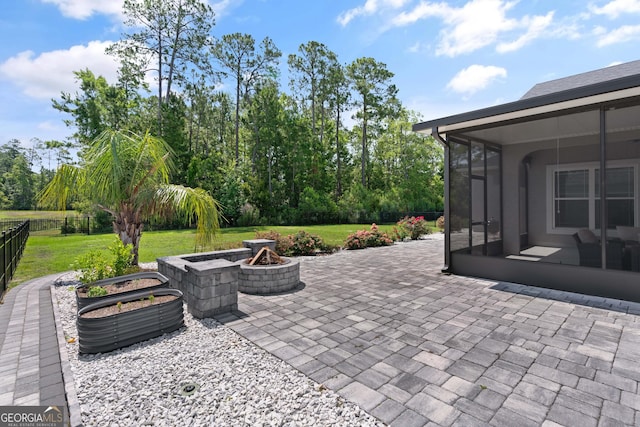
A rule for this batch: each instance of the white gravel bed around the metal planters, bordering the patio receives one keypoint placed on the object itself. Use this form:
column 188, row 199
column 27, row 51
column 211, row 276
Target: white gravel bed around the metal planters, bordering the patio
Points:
column 239, row 383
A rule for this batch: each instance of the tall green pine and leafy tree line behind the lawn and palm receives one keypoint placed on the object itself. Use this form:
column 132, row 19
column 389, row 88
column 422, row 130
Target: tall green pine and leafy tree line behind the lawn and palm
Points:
column 333, row 146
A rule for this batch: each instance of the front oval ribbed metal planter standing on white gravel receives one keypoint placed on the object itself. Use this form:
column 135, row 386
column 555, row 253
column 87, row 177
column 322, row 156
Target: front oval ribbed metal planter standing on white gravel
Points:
column 103, row 334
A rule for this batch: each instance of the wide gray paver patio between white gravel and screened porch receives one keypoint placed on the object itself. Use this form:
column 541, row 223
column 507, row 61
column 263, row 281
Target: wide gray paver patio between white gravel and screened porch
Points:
column 387, row 330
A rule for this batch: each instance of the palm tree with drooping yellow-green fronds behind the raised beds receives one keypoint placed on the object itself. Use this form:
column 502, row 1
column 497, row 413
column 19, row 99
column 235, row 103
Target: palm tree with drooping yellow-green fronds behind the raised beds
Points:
column 127, row 175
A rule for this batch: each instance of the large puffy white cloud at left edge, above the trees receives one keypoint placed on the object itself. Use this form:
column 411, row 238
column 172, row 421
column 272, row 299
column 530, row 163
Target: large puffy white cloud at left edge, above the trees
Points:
column 46, row 75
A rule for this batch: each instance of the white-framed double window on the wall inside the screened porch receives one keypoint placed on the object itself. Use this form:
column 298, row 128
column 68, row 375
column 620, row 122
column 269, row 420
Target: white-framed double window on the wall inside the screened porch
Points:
column 575, row 196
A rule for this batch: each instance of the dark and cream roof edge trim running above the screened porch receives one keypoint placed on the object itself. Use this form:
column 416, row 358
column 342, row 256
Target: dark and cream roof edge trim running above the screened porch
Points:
column 604, row 92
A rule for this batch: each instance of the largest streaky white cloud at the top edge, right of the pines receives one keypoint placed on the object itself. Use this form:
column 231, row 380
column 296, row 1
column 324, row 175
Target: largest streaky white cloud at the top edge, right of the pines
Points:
column 478, row 23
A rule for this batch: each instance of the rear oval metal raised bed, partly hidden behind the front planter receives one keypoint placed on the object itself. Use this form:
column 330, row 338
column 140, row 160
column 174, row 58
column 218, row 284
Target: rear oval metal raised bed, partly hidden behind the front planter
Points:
column 122, row 285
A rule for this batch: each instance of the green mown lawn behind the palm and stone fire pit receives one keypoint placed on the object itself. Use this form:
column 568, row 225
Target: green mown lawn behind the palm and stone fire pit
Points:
column 51, row 252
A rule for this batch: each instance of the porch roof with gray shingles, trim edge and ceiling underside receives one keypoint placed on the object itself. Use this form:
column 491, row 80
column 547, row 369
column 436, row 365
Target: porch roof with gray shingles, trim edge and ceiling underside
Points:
column 535, row 116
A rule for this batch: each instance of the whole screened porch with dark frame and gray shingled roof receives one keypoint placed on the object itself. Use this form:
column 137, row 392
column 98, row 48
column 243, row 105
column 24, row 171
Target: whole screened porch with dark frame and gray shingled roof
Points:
column 526, row 198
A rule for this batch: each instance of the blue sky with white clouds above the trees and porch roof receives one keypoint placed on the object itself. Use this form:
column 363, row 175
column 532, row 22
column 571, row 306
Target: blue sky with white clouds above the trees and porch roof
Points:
column 448, row 56
